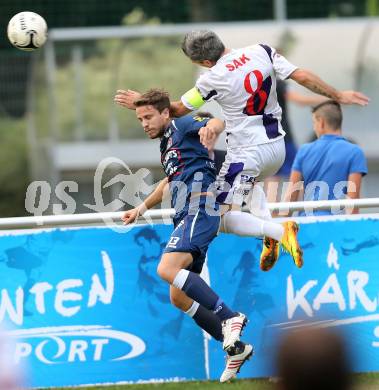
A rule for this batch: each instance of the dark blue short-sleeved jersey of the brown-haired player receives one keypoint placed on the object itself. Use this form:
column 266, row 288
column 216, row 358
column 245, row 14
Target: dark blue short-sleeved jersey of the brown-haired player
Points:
column 186, row 161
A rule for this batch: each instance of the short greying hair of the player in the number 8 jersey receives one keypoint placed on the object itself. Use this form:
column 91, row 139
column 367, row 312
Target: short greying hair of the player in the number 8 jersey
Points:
column 202, row 45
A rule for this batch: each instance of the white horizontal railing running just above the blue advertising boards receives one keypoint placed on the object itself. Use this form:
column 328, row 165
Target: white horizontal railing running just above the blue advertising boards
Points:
column 159, row 215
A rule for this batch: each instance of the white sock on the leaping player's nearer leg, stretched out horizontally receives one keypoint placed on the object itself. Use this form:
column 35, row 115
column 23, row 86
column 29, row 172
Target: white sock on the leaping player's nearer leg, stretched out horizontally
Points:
column 245, row 224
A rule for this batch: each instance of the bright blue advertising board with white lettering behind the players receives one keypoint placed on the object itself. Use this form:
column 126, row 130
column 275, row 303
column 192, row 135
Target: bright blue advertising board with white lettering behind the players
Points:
column 86, row 306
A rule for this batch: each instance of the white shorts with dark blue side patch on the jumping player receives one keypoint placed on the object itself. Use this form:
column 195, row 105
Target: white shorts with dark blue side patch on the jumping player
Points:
column 243, row 166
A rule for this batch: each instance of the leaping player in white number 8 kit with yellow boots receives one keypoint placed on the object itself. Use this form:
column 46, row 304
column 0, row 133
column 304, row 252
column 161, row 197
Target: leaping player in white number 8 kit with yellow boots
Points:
column 243, row 82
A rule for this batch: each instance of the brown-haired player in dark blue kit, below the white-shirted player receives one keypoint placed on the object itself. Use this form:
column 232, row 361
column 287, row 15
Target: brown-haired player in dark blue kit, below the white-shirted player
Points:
column 190, row 180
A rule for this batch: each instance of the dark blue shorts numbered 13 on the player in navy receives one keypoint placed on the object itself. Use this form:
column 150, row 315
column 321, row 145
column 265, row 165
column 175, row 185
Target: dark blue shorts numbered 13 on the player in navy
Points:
column 193, row 234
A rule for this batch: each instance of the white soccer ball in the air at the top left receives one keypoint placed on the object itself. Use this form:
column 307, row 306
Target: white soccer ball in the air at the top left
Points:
column 27, row 31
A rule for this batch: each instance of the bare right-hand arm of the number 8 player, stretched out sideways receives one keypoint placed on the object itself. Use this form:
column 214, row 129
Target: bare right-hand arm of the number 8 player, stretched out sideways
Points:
column 312, row 82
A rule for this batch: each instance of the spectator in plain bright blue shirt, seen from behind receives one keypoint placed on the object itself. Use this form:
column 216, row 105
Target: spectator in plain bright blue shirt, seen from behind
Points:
column 330, row 167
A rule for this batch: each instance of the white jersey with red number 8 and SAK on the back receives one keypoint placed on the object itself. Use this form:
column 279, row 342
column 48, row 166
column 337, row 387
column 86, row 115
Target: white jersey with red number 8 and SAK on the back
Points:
column 243, row 82
